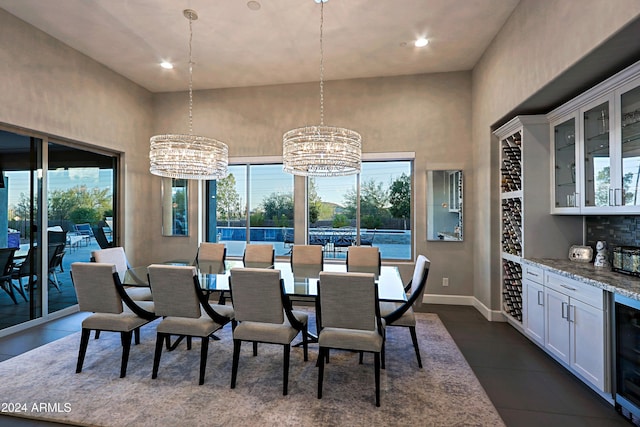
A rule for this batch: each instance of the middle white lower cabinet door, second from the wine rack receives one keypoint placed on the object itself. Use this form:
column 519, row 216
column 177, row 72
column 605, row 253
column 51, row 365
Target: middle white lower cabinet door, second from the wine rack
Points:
column 557, row 328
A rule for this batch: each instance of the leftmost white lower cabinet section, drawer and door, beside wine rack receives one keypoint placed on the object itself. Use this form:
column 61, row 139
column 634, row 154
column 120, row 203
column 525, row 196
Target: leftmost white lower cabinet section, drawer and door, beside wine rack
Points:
column 533, row 317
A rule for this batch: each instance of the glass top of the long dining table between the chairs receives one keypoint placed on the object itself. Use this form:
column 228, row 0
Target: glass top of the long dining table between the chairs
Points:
column 301, row 280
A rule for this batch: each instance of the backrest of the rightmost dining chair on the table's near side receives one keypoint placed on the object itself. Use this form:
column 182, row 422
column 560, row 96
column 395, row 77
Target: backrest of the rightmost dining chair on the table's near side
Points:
column 348, row 300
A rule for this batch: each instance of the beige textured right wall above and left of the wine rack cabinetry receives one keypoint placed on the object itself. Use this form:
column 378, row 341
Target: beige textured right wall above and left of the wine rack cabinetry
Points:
column 539, row 42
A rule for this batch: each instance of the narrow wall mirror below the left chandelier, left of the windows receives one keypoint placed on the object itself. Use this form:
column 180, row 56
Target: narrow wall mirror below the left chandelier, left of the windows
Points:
column 175, row 203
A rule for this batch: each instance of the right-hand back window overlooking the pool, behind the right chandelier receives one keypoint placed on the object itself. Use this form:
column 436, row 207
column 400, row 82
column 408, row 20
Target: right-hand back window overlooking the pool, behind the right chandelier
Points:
column 372, row 208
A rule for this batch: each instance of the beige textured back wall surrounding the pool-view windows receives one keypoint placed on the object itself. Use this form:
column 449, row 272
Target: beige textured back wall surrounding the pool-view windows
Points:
column 428, row 114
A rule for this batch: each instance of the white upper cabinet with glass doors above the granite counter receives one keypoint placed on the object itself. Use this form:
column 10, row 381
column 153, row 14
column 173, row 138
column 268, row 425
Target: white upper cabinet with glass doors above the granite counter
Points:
column 596, row 149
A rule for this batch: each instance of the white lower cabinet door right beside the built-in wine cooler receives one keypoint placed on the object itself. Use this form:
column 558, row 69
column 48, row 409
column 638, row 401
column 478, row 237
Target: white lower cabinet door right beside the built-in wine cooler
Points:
column 587, row 342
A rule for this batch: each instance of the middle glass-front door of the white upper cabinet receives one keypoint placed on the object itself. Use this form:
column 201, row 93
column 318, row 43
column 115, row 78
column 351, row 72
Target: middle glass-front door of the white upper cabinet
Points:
column 598, row 187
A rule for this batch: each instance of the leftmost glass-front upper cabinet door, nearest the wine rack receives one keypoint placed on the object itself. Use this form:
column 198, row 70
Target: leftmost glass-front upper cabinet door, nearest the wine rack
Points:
column 565, row 161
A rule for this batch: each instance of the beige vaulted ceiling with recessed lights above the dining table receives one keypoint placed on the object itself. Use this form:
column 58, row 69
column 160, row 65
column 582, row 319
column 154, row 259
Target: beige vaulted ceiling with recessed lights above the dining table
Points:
column 247, row 43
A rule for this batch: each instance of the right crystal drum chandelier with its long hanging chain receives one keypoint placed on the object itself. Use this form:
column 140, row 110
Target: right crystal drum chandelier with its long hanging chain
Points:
column 321, row 150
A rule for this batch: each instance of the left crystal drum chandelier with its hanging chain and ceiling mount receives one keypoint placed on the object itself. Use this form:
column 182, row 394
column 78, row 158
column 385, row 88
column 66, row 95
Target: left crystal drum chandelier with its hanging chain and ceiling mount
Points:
column 188, row 156
